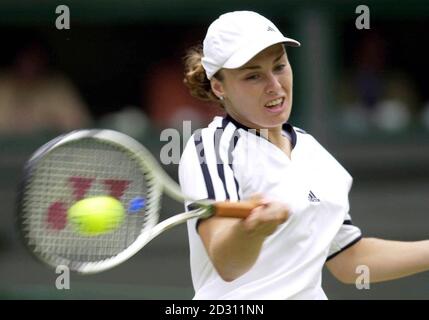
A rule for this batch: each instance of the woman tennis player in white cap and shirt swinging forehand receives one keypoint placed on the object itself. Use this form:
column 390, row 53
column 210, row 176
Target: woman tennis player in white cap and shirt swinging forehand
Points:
column 302, row 221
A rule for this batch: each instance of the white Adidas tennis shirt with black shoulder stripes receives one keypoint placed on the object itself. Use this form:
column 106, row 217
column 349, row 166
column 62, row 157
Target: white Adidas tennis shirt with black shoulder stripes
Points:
column 226, row 160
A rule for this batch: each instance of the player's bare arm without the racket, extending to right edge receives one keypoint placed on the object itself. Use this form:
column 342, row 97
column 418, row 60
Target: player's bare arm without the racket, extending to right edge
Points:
column 386, row 260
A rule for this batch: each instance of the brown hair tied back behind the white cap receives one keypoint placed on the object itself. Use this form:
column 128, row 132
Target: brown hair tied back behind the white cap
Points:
column 195, row 76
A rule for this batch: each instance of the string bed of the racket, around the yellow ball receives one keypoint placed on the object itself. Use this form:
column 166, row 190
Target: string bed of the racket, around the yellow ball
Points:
column 50, row 184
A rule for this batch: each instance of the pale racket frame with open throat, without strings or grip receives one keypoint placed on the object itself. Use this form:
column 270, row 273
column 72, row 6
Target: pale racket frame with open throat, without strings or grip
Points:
column 203, row 209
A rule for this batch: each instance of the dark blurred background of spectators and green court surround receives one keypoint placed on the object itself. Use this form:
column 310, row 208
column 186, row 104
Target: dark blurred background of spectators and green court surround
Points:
column 362, row 93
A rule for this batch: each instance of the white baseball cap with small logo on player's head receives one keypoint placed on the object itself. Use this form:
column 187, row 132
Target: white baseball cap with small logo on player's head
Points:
column 236, row 37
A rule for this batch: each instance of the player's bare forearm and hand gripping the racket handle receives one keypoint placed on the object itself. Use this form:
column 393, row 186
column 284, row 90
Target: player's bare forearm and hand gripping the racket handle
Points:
column 233, row 245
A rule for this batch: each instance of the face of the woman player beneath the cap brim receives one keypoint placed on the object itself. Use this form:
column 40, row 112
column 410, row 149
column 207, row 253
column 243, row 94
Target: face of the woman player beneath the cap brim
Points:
column 259, row 94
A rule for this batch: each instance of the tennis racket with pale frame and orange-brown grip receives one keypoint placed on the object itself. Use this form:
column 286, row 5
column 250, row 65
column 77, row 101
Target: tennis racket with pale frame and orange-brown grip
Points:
column 90, row 163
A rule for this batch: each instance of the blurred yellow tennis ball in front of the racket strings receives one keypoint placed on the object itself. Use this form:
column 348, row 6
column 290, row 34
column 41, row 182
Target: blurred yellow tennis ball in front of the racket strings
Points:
column 96, row 215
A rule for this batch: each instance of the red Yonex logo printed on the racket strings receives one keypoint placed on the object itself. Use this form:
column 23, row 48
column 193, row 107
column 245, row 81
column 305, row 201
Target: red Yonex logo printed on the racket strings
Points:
column 57, row 212
